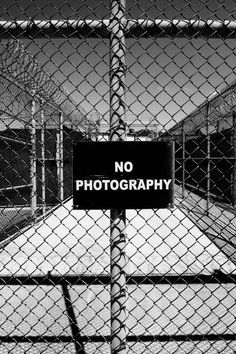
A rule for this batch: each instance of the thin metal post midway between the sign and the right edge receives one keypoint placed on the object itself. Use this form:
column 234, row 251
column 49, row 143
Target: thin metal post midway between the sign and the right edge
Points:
column 208, row 153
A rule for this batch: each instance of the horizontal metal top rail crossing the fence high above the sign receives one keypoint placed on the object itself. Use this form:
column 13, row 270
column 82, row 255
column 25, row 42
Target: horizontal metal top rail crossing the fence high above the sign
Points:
column 141, row 28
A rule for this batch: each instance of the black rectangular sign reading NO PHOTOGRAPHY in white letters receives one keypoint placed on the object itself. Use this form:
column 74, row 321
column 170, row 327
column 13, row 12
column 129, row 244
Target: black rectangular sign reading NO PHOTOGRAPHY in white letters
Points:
column 122, row 175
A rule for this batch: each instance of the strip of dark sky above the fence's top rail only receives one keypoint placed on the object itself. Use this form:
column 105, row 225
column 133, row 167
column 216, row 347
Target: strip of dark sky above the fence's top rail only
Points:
column 72, row 9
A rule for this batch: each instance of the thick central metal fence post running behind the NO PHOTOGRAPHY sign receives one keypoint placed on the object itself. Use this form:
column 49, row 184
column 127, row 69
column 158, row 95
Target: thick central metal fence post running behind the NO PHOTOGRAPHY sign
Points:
column 117, row 133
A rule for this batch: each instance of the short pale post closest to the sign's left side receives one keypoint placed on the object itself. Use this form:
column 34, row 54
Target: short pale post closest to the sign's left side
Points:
column 59, row 158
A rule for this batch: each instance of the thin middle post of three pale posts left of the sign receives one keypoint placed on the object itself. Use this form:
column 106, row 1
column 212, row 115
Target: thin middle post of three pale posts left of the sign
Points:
column 43, row 166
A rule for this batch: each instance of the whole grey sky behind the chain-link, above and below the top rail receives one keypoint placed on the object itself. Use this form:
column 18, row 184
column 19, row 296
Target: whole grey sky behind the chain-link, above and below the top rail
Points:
column 166, row 79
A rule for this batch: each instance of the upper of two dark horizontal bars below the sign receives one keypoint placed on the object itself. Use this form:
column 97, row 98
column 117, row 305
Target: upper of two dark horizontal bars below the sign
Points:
column 50, row 280
